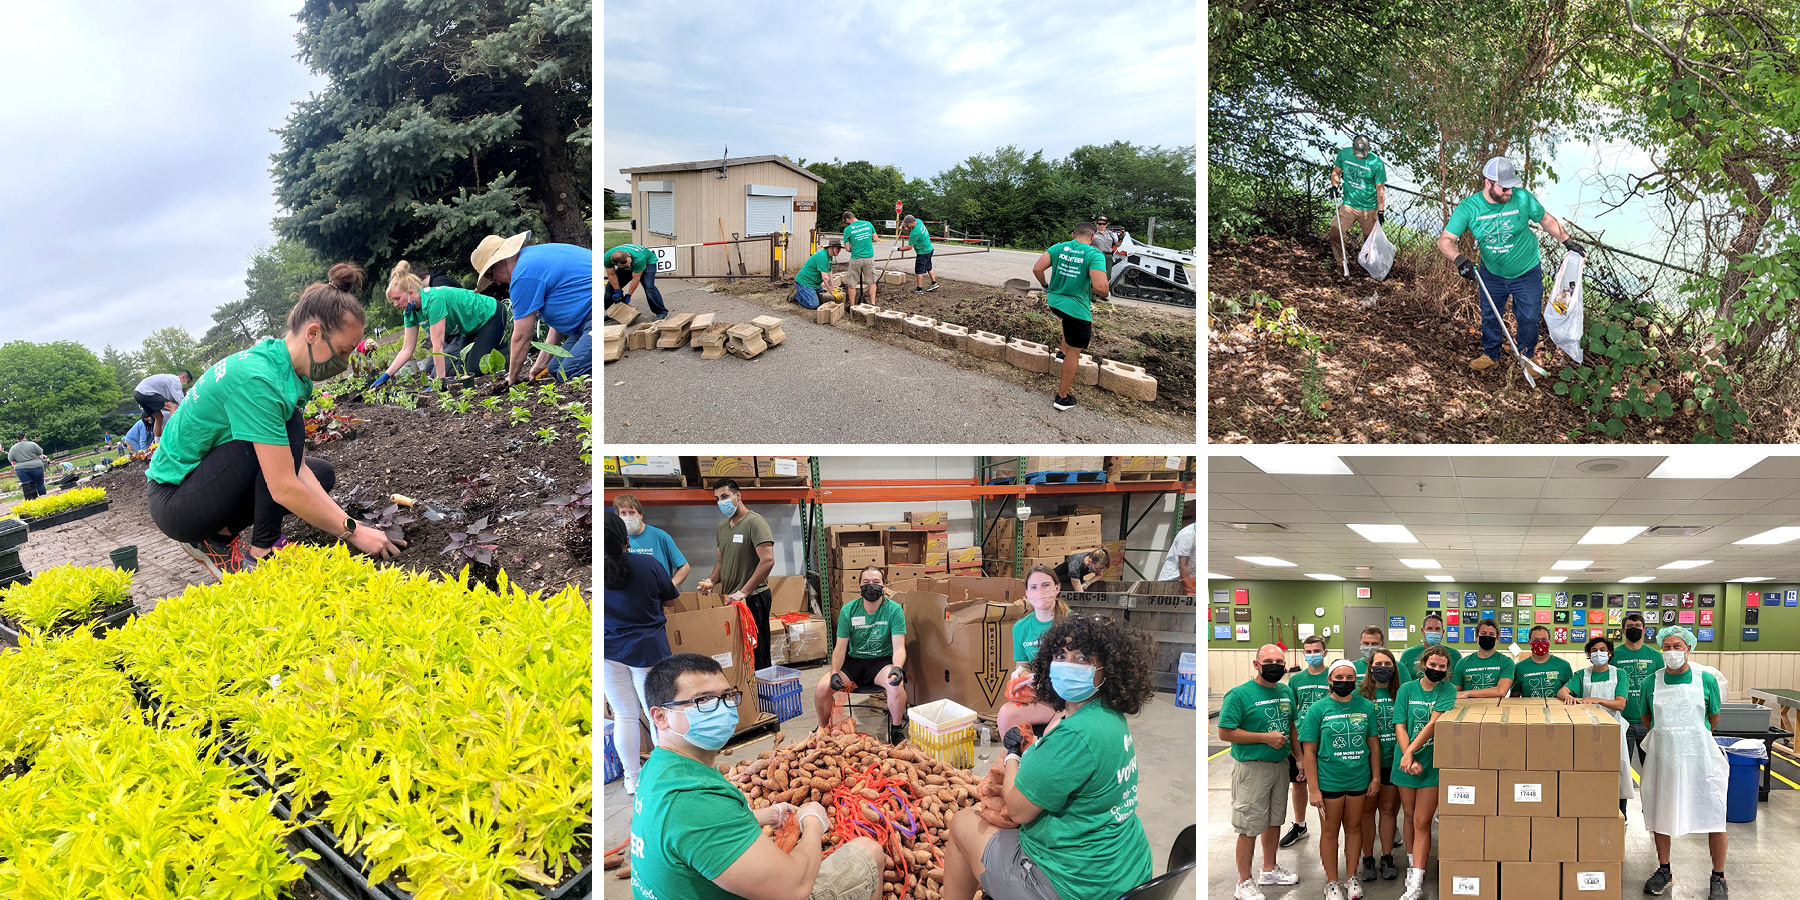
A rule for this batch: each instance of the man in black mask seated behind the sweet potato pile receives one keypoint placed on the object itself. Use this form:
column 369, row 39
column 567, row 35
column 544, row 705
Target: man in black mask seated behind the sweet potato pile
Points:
column 870, row 651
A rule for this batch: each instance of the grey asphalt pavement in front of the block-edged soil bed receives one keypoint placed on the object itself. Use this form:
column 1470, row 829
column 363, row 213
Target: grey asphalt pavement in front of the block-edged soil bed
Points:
column 834, row 386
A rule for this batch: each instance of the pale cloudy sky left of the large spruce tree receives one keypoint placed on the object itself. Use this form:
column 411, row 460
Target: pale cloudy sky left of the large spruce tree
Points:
column 136, row 152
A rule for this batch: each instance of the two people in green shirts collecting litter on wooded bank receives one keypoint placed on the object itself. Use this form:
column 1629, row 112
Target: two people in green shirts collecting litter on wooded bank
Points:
column 1498, row 217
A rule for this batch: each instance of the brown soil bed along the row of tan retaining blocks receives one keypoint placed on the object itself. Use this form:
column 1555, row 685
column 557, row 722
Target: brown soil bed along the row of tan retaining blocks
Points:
column 1162, row 341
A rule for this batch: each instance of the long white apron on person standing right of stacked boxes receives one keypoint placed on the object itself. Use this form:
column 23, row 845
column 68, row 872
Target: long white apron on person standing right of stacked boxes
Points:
column 1684, row 771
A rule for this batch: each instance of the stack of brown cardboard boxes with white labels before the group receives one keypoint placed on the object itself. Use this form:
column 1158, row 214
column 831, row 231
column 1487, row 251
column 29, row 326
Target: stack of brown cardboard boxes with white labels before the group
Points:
column 1529, row 802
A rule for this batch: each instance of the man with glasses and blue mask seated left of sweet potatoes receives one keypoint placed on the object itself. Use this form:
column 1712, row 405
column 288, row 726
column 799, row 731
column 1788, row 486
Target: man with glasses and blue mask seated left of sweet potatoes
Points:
column 694, row 834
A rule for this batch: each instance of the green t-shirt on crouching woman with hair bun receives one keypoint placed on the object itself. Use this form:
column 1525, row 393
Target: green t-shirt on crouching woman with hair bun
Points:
column 246, row 397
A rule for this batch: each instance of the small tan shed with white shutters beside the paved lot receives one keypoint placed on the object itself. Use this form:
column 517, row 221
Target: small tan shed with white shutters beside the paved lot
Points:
column 681, row 204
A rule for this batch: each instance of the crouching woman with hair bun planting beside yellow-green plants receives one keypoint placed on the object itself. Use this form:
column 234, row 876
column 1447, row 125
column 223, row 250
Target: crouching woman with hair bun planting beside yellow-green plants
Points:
column 231, row 456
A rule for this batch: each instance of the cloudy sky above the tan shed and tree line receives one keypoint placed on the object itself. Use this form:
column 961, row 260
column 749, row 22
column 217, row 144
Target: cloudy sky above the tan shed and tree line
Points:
column 921, row 84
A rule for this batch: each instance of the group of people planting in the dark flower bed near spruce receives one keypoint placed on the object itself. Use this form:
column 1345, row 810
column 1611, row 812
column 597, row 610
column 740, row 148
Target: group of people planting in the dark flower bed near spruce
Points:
column 231, row 463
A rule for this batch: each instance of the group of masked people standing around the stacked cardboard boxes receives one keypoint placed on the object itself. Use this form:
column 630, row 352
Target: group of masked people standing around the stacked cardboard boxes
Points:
column 1353, row 739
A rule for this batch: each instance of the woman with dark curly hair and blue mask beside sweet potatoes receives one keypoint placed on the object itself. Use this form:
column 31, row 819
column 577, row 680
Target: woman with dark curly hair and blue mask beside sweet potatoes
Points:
column 1074, row 791
